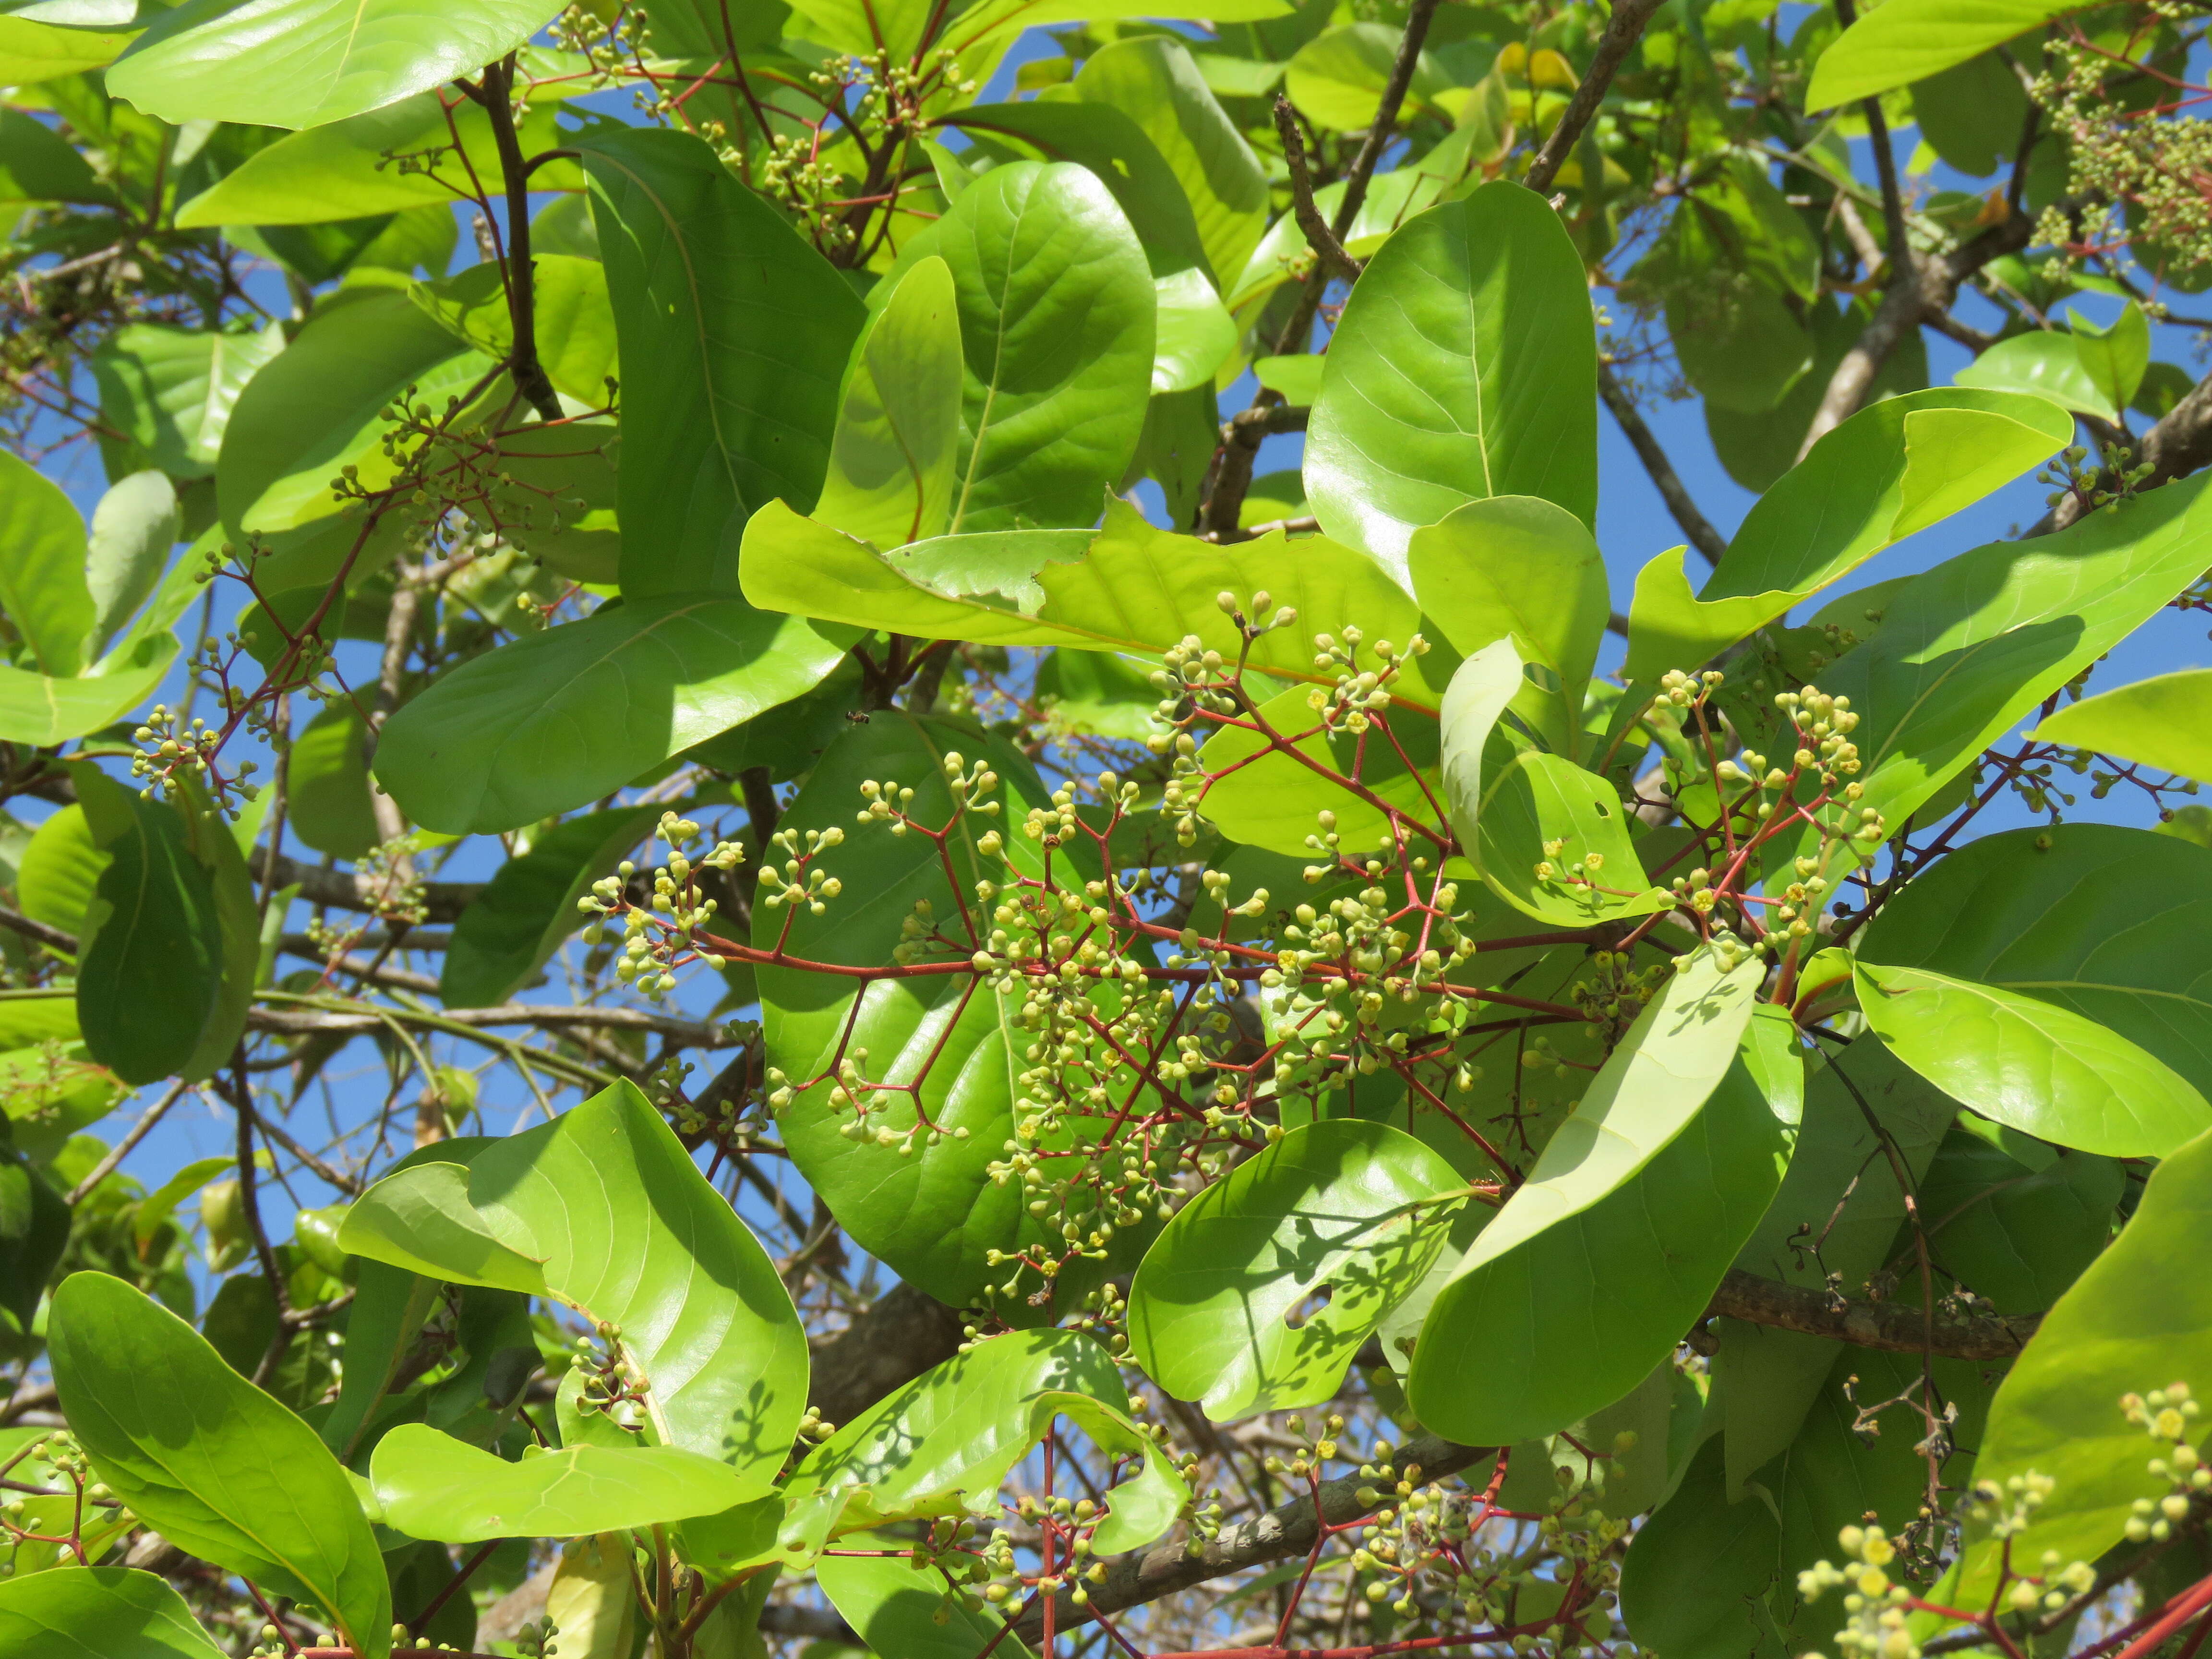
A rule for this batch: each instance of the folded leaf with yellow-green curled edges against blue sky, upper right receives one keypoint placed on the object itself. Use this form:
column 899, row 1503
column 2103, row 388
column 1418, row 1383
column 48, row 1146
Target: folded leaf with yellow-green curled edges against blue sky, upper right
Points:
column 1888, row 472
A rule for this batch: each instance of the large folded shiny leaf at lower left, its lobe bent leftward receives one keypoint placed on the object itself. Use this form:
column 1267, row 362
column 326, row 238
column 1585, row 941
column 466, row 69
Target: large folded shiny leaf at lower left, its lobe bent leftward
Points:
column 627, row 1233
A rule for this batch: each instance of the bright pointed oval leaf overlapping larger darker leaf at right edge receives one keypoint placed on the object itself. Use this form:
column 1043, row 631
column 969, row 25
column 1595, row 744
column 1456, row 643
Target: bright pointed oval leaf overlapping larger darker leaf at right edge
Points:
column 2034, row 1065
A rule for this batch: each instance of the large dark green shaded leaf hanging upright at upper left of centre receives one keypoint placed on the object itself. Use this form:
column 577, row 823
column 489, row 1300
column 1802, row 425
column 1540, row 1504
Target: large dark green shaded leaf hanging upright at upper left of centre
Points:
column 735, row 333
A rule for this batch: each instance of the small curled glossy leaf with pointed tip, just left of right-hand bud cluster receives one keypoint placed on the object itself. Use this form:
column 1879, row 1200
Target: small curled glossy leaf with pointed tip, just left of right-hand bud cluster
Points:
column 1536, row 802
